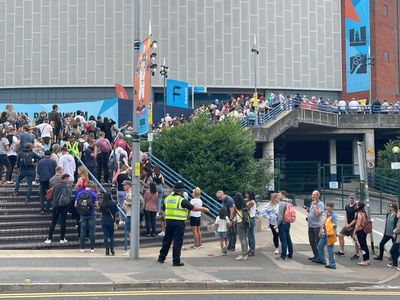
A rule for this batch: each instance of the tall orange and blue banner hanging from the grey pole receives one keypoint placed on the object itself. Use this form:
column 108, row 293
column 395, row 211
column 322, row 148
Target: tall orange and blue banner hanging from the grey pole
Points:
column 142, row 86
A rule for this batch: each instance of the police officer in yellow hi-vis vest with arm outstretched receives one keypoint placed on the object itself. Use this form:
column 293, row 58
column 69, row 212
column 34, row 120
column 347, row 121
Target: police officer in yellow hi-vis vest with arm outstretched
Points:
column 176, row 209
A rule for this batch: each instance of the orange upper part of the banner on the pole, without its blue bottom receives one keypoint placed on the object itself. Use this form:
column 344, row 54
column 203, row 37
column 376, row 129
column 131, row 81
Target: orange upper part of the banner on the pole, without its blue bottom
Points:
column 142, row 78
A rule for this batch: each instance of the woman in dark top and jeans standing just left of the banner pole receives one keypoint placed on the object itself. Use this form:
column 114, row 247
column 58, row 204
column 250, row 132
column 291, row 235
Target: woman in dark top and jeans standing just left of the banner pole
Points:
column 108, row 211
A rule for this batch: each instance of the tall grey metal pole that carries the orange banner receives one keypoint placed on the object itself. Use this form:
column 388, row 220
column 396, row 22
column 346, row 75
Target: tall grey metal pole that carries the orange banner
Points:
column 135, row 229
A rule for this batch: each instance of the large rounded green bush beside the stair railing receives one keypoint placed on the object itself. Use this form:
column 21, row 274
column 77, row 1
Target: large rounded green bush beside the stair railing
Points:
column 214, row 157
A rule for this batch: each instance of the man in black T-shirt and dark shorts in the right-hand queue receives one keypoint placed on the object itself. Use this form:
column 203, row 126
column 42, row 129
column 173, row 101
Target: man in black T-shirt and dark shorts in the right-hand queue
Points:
column 347, row 230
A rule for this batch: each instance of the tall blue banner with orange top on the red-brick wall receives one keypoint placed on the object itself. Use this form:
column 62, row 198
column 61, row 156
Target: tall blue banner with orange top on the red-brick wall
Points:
column 357, row 32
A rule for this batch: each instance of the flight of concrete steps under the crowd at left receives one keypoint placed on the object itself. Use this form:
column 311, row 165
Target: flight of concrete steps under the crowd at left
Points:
column 22, row 226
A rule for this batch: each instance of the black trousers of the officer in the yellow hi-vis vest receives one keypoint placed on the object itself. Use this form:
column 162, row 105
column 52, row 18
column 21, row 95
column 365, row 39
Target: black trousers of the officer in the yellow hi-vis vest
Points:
column 174, row 231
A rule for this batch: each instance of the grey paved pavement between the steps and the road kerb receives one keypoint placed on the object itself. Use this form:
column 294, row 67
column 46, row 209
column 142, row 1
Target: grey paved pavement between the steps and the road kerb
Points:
column 205, row 268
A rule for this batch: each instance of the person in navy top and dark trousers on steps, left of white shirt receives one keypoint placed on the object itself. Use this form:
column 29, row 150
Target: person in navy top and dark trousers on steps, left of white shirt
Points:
column 46, row 168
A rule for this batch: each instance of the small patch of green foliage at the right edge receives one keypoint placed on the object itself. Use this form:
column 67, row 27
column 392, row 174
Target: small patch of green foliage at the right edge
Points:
column 386, row 157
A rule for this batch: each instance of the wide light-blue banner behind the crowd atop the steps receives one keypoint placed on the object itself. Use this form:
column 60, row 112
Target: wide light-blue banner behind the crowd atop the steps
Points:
column 105, row 108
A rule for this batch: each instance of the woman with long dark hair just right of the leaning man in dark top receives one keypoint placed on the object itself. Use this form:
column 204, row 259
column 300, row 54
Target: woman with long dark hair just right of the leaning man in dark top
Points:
column 242, row 219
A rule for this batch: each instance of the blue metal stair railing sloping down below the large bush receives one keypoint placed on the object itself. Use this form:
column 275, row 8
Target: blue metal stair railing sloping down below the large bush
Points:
column 170, row 177
